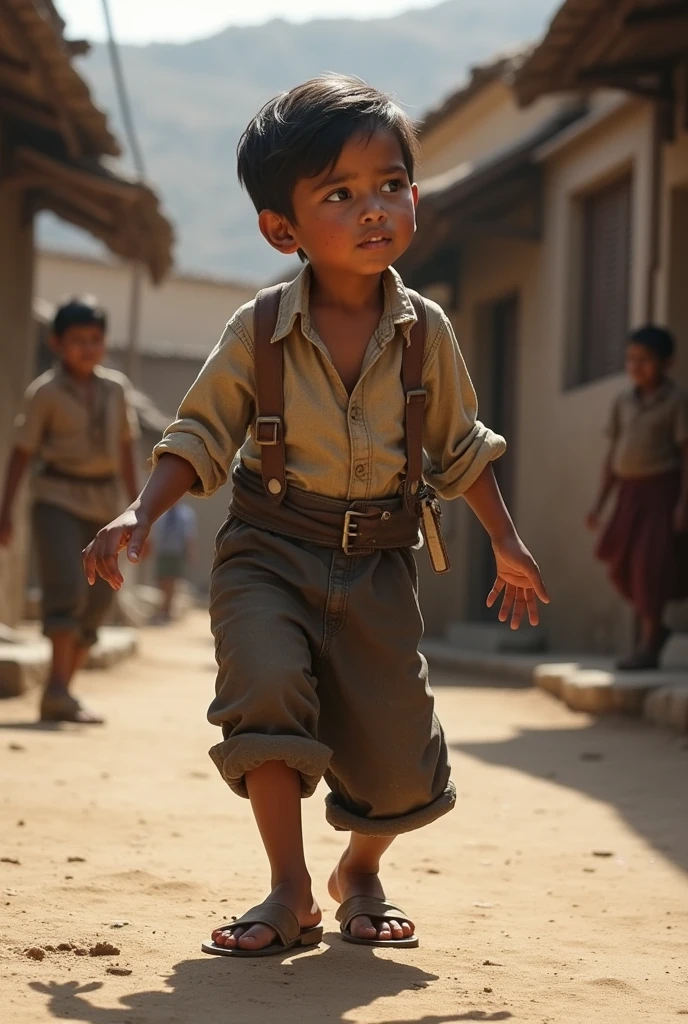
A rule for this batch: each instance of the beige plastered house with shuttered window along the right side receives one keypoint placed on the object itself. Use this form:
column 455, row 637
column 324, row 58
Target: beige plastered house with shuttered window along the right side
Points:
column 554, row 217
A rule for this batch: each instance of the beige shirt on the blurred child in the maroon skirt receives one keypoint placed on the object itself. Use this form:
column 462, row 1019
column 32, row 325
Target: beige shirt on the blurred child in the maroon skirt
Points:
column 649, row 434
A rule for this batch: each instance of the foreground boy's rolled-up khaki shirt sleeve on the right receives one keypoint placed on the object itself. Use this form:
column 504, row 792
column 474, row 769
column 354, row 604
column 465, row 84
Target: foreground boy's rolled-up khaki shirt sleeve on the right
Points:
column 458, row 446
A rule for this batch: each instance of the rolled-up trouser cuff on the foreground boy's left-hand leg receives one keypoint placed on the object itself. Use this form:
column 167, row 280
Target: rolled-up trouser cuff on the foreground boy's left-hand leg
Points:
column 236, row 756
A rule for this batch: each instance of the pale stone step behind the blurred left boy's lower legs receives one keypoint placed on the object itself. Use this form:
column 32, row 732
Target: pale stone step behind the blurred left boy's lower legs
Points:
column 25, row 663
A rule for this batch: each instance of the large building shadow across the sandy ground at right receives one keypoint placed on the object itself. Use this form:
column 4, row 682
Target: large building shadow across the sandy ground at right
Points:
column 640, row 772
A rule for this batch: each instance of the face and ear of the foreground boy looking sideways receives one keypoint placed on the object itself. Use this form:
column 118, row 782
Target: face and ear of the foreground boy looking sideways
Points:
column 359, row 217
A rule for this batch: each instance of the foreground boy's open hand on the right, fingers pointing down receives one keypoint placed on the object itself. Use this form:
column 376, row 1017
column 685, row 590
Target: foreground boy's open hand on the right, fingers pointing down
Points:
column 519, row 578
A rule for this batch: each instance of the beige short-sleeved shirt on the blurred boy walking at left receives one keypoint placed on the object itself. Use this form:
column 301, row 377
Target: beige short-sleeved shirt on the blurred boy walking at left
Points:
column 79, row 433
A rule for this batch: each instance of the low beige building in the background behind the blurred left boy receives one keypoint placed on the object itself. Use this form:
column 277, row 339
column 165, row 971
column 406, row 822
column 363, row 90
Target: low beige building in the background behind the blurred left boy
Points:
column 180, row 324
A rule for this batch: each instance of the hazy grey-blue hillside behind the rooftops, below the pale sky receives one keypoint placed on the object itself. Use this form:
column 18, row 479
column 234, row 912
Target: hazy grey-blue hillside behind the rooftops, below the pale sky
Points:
column 193, row 101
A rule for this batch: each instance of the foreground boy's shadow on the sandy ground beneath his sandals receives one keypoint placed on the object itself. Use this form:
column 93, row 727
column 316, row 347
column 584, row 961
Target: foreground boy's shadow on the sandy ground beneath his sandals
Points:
column 305, row 990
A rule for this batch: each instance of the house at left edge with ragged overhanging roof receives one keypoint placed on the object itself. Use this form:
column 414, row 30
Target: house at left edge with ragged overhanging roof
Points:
column 55, row 151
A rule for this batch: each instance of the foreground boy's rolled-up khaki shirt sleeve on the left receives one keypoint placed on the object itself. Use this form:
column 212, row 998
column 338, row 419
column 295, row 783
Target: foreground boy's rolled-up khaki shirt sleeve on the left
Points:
column 214, row 417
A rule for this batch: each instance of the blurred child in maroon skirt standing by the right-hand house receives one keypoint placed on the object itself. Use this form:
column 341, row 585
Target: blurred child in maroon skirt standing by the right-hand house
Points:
column 646, row 544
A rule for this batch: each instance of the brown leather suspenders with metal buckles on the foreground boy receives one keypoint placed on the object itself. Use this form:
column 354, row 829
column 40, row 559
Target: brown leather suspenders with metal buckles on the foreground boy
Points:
column 270, row 428
